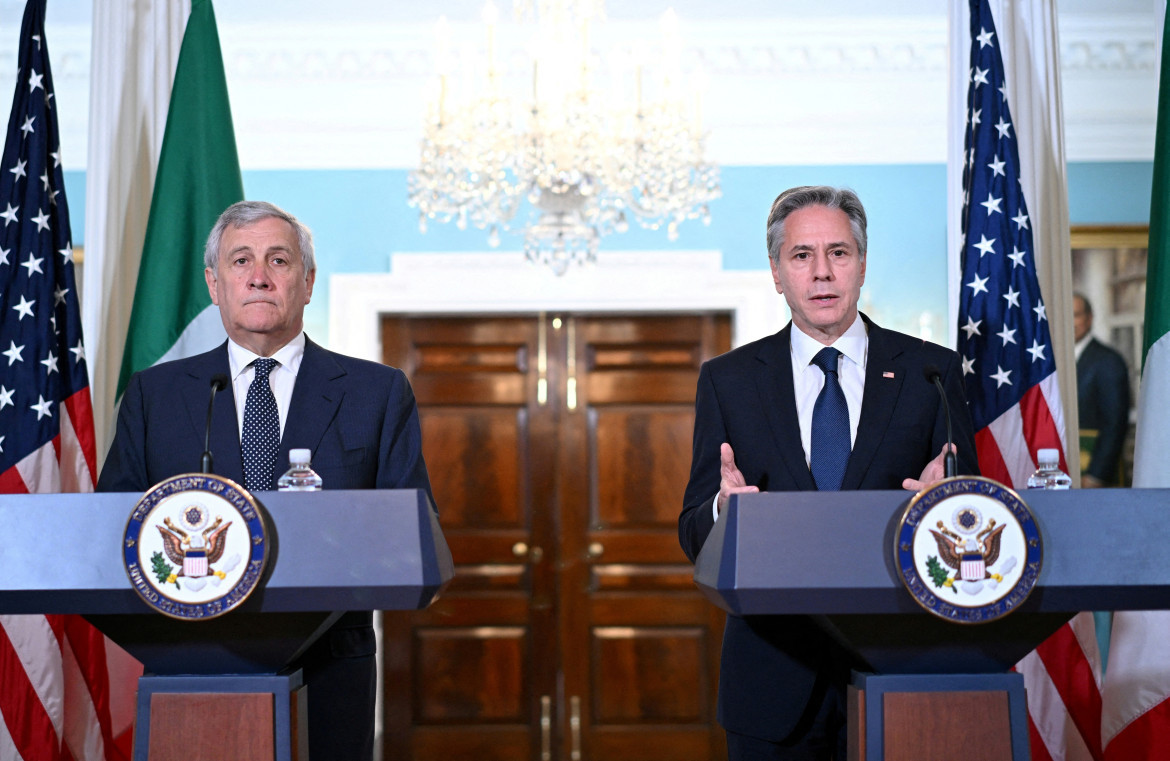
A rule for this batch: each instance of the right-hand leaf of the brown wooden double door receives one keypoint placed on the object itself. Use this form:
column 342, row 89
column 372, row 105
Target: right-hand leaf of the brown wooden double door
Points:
column 648, row 646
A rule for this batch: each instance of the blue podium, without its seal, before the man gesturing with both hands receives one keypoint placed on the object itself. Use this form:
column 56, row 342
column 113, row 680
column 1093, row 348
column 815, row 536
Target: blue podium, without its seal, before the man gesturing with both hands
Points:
column 934, row 689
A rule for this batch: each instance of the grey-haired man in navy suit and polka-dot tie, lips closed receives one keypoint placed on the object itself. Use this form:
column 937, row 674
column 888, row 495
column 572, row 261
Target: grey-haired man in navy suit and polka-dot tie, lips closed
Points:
column 359, row 419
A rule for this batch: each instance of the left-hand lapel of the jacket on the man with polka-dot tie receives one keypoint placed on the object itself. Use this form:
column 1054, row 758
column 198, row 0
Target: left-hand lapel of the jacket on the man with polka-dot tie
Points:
column 225, row 438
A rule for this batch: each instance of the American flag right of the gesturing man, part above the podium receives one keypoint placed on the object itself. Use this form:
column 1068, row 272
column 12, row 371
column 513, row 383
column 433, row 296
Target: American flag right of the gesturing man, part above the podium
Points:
column 1008, row 359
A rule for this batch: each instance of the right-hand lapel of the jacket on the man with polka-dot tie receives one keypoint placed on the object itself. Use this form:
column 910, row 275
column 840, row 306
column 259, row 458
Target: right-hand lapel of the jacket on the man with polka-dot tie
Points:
column 316, row 399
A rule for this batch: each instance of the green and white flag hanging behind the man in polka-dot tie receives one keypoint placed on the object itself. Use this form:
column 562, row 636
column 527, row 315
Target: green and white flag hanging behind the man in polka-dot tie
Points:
column 198, row 177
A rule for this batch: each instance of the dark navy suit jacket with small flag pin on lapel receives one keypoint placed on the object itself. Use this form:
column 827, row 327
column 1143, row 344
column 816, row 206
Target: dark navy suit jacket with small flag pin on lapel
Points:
column 746, row 397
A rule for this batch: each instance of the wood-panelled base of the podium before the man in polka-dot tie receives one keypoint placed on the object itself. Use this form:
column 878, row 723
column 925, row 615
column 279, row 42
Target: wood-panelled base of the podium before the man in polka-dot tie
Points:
column 209, row 718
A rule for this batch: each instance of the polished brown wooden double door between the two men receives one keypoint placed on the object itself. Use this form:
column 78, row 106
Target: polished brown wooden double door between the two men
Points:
column 559, row 448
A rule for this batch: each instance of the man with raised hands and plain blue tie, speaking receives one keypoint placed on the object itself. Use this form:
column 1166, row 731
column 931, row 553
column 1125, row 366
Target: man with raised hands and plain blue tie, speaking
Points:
column 831, row 402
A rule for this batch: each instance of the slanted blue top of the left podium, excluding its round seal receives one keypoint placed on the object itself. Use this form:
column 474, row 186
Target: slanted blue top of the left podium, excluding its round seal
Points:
column 331, row 551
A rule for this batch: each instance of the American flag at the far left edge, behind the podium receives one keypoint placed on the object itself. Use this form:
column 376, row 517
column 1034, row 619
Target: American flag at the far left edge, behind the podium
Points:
column 56, row 671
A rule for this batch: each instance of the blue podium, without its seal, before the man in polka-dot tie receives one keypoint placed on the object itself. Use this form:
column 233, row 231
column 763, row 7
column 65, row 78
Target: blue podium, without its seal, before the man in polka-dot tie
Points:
column 224, row 688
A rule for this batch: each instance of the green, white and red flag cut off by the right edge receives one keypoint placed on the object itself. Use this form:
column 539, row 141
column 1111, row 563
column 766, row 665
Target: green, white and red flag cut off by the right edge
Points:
column 1137, row 722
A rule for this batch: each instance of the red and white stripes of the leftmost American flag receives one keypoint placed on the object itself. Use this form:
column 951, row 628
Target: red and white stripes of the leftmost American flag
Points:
column 67, row 694
